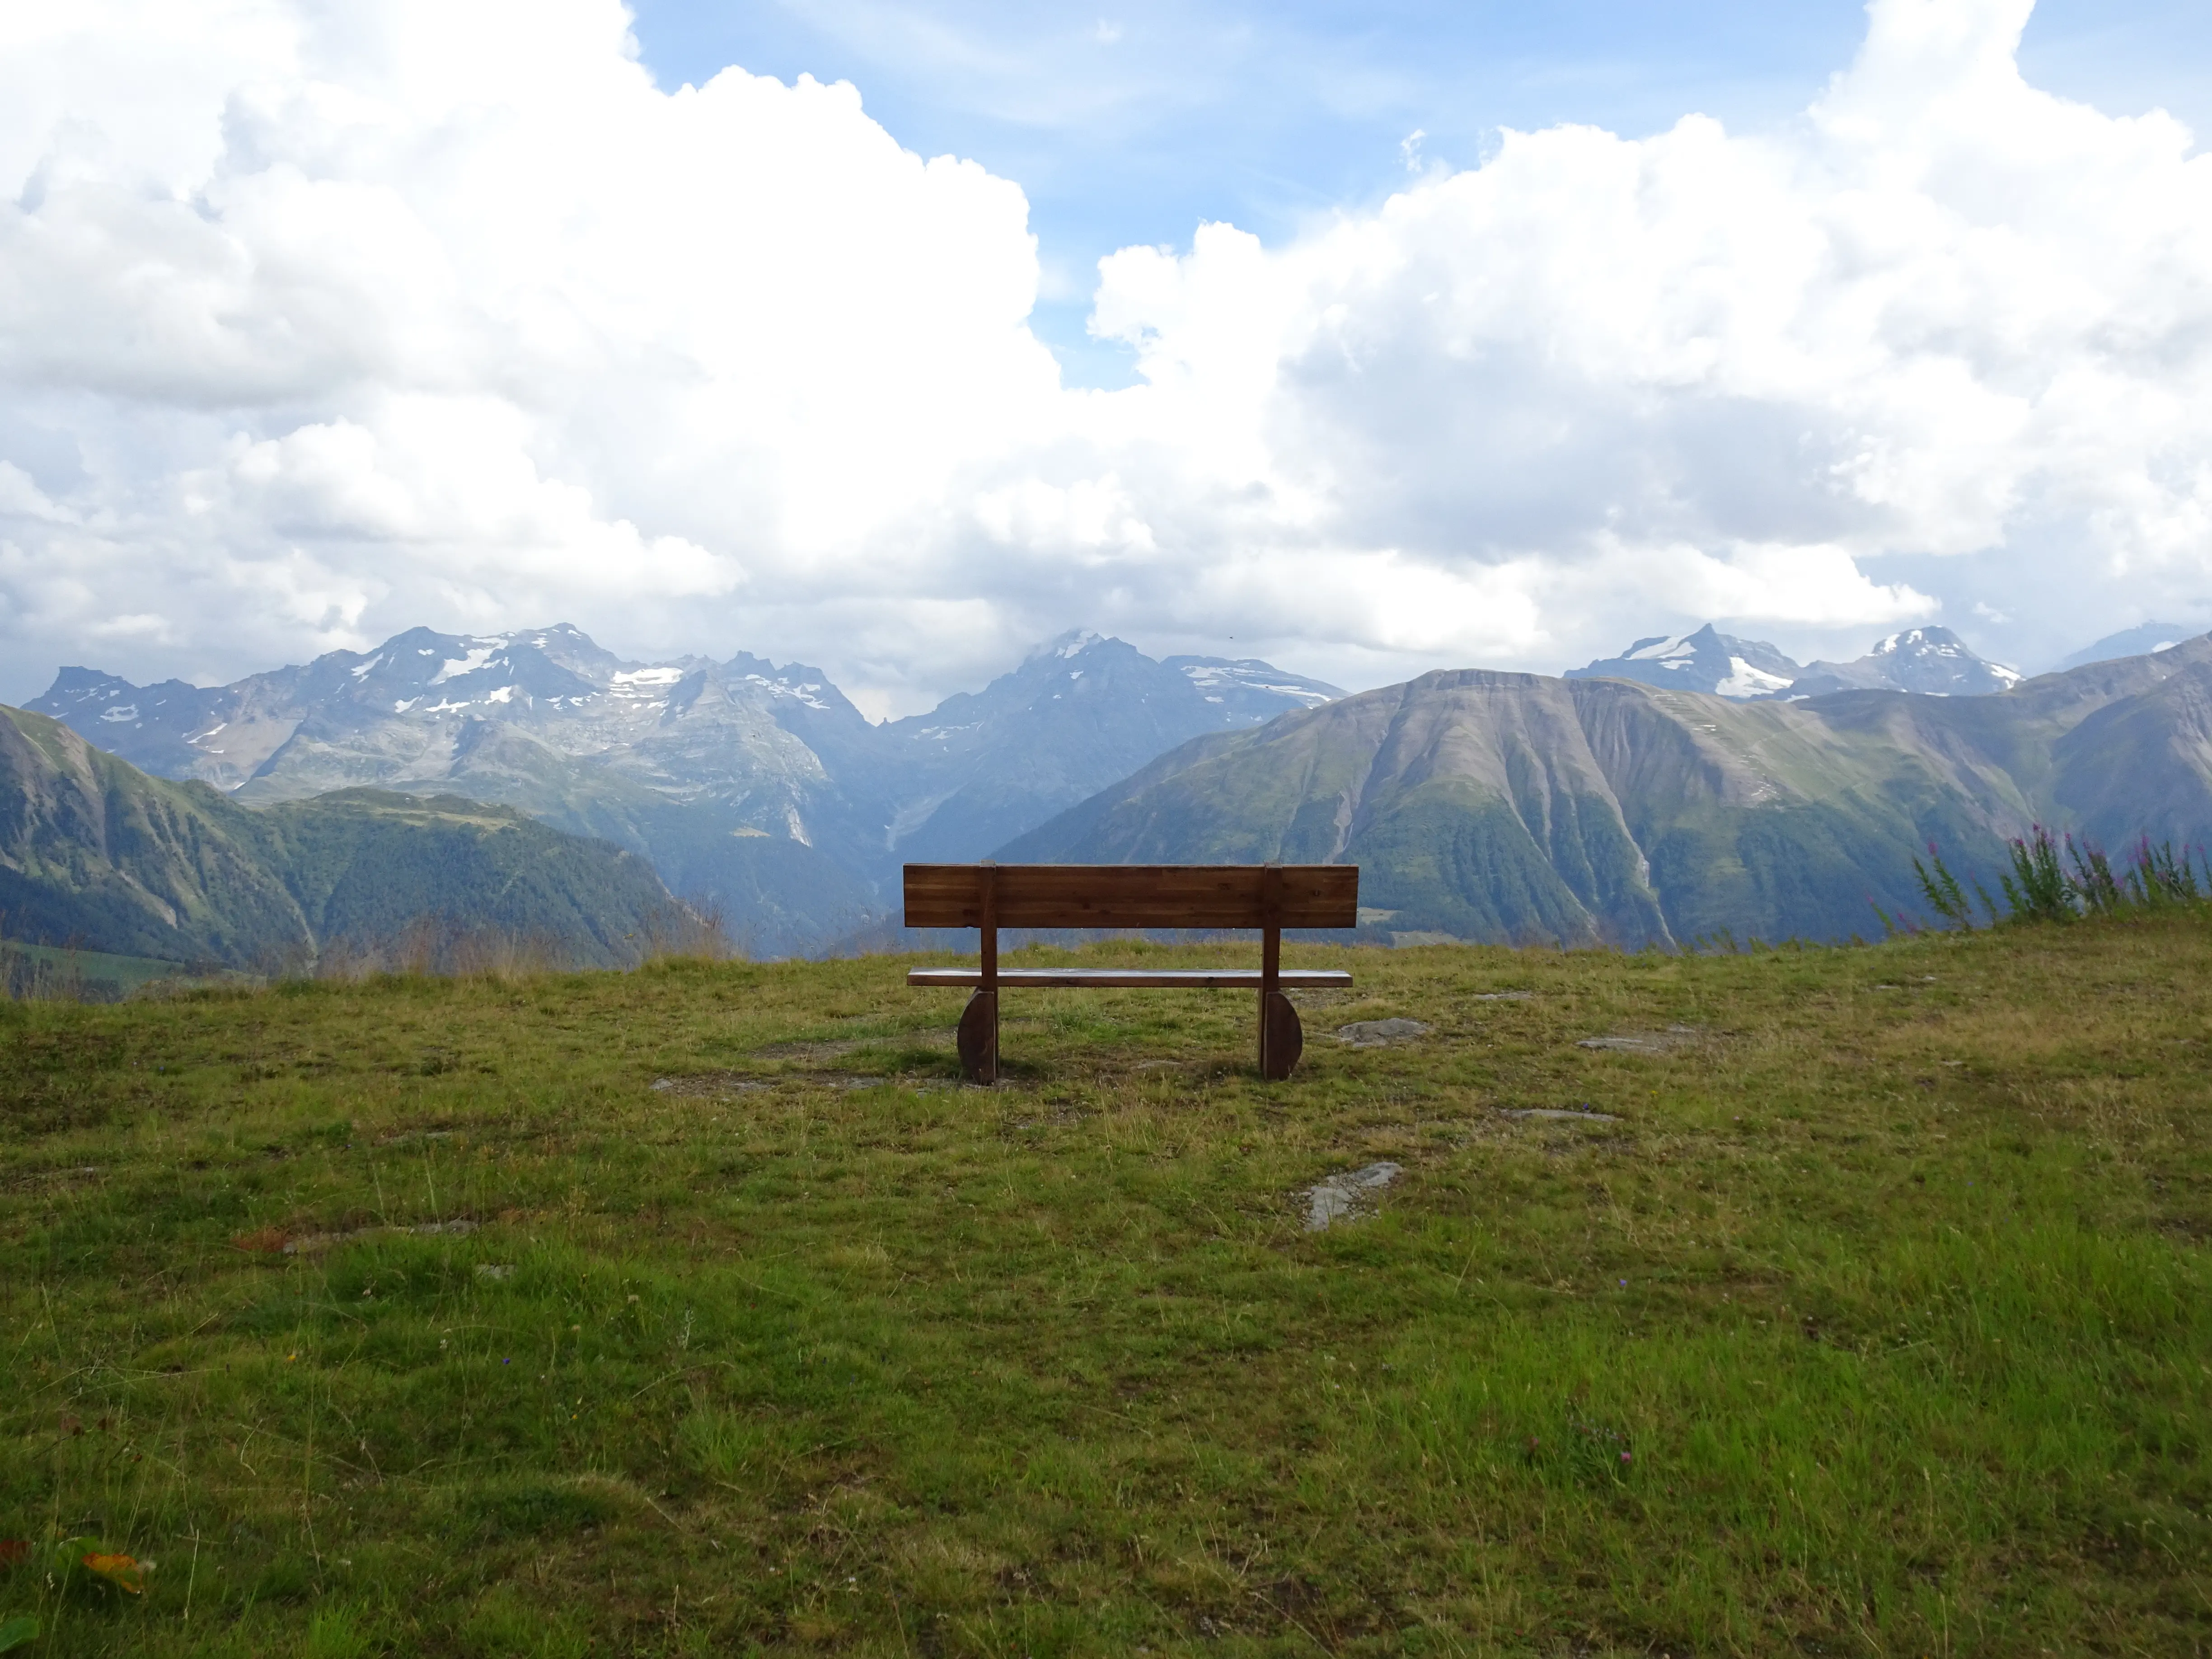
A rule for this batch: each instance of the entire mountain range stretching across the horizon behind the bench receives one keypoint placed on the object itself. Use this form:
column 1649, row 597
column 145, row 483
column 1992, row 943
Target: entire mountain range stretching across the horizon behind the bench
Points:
column 1687, row 789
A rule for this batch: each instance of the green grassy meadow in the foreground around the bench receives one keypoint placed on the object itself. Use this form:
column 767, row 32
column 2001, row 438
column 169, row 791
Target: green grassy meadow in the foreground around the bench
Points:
column 1879, row 1322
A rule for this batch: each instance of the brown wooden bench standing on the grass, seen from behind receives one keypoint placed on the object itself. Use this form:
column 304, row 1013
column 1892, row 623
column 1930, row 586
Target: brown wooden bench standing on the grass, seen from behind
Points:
column 1269, row 897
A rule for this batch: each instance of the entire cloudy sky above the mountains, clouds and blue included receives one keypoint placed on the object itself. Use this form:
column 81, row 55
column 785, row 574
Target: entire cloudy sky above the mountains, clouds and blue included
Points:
column 901, row 337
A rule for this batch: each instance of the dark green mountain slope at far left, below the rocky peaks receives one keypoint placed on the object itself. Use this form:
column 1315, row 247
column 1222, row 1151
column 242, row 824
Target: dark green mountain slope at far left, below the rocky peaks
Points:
column 101, row 855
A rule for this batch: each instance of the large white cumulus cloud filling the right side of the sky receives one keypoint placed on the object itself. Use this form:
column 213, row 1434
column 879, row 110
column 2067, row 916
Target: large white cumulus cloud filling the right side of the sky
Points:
column 1726, row 375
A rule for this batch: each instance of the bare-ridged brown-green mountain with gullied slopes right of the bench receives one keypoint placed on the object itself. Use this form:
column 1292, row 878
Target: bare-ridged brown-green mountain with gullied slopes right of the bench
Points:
column 1516, row 806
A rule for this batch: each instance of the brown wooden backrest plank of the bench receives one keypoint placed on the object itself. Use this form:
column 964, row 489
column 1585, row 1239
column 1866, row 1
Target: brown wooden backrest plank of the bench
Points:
column 1136, row 895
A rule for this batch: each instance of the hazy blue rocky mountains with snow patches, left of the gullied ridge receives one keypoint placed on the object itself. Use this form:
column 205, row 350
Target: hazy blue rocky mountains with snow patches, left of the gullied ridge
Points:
column 744, row 782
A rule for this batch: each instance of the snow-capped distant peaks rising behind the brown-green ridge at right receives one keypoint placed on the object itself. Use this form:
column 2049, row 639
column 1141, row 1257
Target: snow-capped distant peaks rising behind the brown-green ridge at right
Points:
column 1919, row 660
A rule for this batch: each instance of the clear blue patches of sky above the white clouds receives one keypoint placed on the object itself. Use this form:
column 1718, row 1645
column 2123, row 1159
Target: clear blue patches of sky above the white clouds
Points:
column 1134, row 125
